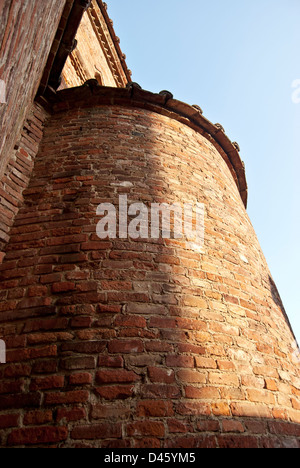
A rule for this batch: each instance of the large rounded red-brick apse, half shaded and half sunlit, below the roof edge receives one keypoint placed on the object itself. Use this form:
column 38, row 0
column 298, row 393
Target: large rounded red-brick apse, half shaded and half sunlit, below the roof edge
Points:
column 146, row 342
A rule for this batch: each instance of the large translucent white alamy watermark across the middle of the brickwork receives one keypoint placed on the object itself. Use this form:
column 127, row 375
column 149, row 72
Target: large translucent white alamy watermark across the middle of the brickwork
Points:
column 137, row 221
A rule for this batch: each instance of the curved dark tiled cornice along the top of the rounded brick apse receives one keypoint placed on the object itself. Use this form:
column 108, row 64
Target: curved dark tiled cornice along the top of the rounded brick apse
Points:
column 91, row 94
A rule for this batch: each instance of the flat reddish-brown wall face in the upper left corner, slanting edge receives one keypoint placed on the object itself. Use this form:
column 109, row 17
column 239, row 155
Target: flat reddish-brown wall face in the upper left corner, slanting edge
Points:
column 27, row 31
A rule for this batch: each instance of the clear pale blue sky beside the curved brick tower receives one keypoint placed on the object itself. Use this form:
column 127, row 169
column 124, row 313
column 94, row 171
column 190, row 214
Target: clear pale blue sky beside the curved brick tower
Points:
column 237, row 60
